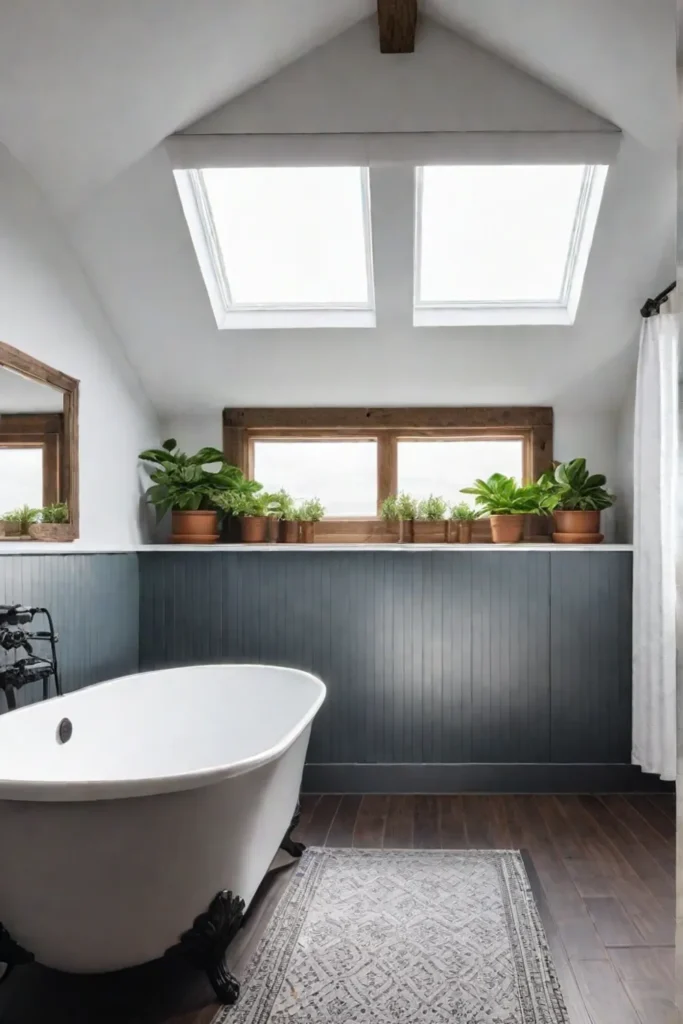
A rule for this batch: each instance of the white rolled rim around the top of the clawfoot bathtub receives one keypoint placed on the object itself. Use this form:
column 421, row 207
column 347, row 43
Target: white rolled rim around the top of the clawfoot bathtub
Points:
column 47, row 791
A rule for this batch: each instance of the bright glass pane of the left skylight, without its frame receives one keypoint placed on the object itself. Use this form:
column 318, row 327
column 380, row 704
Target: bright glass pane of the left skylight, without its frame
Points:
column 291, row 236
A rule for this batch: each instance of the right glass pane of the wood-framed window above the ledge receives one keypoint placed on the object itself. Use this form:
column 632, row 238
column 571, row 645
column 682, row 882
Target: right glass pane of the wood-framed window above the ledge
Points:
column 444, row 467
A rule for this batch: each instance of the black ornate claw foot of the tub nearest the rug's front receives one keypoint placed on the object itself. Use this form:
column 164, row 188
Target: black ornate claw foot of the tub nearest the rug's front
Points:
column 205, row 945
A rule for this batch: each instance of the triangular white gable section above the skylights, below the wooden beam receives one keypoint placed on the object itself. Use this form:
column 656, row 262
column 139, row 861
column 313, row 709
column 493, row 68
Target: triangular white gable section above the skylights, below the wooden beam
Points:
column 449, row 84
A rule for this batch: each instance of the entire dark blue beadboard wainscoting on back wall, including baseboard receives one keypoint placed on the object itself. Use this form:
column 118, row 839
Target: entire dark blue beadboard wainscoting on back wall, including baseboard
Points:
column 446, row 670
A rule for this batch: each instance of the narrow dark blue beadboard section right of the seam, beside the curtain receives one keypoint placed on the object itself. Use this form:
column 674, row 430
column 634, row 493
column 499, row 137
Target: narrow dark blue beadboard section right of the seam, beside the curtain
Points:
column 591, row 657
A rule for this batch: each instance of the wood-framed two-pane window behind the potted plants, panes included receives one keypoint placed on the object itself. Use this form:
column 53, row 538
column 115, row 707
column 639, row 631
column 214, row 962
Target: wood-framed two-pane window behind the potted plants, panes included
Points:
column 353, row 459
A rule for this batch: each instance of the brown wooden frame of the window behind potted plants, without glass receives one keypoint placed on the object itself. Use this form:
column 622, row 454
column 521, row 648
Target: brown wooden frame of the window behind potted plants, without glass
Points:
column 532, row 425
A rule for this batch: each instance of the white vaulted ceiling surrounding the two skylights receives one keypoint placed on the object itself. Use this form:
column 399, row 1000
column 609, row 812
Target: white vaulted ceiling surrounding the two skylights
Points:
column 90, row 91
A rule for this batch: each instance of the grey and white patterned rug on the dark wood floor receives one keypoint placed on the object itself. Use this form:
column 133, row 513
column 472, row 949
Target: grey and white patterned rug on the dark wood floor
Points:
column 387, row 936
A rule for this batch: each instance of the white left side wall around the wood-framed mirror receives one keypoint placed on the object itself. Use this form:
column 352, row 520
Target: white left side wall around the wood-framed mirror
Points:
column 49, row 311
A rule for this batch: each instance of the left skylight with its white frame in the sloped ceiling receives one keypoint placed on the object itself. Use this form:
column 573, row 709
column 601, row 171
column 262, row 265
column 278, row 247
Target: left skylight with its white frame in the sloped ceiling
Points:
column 283, row 246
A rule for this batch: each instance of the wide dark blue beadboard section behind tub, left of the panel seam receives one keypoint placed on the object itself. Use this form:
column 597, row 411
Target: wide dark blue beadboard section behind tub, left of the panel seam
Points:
column 429, row 657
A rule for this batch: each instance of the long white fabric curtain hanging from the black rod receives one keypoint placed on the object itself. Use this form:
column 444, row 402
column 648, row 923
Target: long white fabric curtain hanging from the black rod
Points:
column 656, row 473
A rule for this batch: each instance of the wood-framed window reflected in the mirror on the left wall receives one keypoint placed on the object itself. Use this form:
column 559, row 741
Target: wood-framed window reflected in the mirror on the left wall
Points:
column 32, row 466
